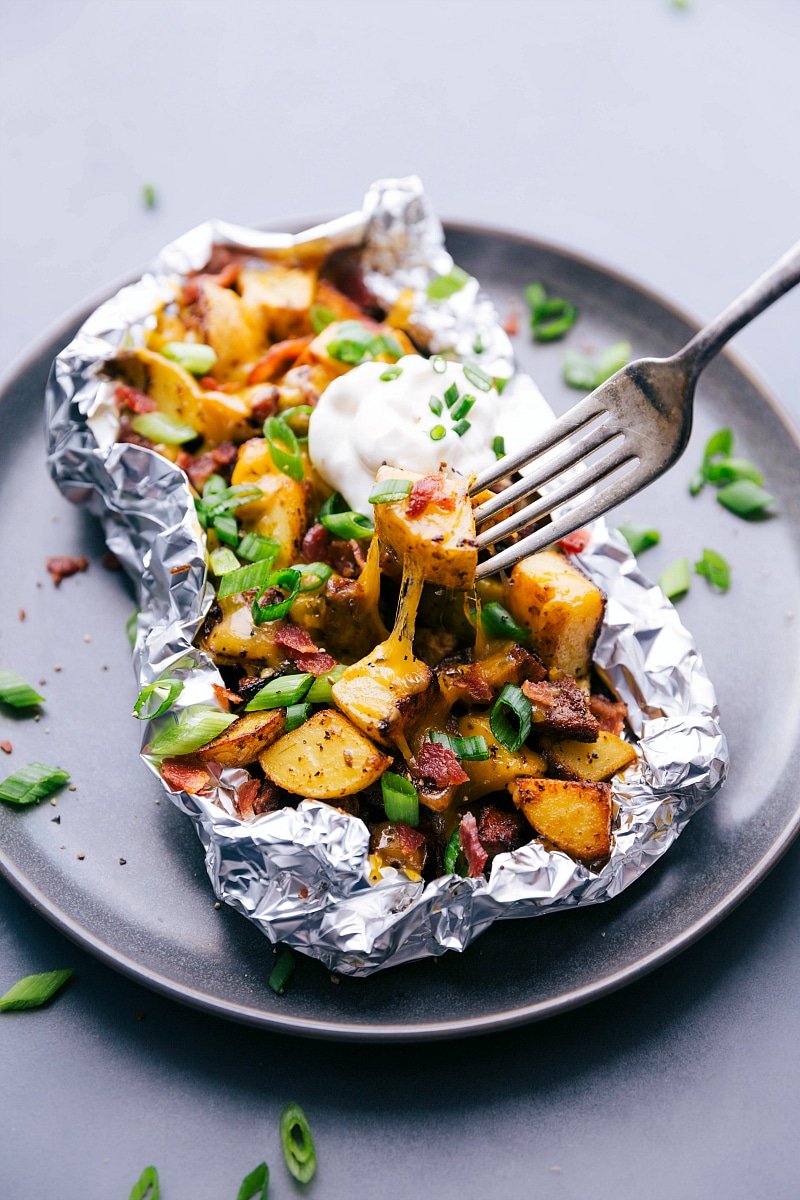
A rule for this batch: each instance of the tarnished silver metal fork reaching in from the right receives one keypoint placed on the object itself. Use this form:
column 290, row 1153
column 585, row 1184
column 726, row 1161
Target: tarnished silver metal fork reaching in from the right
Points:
column 633, row 429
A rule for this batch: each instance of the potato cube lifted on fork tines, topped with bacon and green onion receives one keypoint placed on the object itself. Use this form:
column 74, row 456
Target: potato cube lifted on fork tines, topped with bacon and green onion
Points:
column 440, row 541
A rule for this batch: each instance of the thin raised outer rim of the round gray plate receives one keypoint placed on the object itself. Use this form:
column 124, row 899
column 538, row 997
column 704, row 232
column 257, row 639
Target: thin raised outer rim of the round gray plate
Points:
column 347, row 1031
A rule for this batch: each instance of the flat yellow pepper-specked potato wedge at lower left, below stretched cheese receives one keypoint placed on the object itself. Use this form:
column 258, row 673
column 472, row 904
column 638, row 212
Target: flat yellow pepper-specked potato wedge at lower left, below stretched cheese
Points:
column 324, row 759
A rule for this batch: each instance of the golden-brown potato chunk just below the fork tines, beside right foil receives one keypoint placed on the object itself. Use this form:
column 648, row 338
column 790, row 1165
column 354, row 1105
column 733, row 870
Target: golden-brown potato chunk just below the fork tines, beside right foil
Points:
column 562, row 608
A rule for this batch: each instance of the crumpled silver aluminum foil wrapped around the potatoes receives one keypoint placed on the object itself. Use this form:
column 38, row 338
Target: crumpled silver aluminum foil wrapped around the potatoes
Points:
column 304, row 875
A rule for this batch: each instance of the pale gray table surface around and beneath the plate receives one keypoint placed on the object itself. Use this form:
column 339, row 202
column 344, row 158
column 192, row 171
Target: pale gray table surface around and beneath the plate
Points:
column 658, row 140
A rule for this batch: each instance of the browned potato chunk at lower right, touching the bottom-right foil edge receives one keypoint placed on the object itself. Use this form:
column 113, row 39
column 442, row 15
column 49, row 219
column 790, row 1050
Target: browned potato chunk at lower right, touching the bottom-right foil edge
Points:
column 575, row 817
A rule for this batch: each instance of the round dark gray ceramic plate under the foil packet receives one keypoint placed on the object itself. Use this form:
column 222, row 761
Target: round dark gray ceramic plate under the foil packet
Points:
column 117, row 868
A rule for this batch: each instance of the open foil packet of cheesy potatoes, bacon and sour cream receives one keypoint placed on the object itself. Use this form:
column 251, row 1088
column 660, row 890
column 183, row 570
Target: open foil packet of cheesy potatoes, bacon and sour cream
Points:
column 382, row 755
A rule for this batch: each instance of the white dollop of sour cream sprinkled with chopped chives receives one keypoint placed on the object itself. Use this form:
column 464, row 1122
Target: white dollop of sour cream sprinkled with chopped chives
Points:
column 364, row 422
